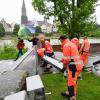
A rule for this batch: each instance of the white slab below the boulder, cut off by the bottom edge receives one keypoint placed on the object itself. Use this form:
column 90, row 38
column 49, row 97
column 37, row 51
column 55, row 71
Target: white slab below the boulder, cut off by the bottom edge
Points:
column 17, row 96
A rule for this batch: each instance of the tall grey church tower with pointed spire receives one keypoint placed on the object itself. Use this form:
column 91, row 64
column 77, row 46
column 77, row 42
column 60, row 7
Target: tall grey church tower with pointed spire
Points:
column 24, row 18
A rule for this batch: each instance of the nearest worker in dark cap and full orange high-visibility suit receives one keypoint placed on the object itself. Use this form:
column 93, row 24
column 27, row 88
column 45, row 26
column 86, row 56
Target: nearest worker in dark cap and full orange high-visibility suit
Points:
column 73, row 64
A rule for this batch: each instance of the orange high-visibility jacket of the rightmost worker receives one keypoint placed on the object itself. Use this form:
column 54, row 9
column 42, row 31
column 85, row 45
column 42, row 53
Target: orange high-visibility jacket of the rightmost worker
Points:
column 85, row 46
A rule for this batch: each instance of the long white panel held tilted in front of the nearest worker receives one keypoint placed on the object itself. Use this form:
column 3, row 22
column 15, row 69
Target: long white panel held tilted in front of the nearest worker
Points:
column 55, row 63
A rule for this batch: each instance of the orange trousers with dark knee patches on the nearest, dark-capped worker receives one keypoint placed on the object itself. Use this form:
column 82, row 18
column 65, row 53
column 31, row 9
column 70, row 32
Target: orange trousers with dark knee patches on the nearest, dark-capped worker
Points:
column 72, row 82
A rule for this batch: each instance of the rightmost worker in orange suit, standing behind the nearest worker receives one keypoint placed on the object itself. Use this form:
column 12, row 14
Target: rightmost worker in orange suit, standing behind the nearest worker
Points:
column 84, row 50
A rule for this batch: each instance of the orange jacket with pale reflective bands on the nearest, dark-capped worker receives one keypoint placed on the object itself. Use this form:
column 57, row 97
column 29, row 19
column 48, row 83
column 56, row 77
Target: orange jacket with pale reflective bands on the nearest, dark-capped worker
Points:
column 70, row 52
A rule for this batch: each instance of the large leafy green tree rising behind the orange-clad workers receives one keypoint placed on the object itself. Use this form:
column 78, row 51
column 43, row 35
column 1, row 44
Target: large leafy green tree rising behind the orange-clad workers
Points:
column 72, row 15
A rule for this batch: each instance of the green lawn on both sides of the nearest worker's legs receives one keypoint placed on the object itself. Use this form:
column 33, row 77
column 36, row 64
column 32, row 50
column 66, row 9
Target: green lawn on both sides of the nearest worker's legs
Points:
column 88, row 88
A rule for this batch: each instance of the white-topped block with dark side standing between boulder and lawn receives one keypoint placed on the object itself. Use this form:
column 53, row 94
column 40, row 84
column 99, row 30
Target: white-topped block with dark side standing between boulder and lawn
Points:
column 35, row 88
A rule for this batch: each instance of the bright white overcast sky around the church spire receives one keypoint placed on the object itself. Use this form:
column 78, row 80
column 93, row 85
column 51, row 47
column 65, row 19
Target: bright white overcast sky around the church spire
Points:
column 10, row 10
